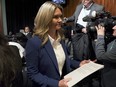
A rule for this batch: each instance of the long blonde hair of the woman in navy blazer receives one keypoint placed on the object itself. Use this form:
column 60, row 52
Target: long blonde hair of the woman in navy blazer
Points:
column 43, row 20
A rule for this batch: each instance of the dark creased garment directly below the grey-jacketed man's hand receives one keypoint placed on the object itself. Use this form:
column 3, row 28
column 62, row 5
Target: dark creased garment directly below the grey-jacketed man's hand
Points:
column 81, row 50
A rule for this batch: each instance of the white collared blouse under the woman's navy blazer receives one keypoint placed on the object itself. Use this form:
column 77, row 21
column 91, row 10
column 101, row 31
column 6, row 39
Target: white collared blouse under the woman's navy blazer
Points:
column 59, row 52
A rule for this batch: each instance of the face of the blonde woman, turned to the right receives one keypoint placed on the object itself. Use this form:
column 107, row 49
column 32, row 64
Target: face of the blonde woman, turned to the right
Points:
column 57, row 20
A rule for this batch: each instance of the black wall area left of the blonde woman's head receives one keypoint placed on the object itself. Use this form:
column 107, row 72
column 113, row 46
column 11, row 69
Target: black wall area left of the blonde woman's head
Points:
column 21, row 13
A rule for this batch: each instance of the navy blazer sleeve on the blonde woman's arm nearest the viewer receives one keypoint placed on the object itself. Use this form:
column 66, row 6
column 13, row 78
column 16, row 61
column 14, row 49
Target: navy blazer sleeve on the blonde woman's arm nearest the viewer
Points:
column 32, row 54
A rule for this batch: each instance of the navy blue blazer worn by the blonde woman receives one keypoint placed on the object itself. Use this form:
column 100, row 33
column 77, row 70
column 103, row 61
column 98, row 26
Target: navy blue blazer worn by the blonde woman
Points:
column 42, row 65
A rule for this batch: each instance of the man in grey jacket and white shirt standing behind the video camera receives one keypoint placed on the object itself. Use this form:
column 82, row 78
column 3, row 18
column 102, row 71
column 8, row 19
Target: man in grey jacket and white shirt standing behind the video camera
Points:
column 82, row 10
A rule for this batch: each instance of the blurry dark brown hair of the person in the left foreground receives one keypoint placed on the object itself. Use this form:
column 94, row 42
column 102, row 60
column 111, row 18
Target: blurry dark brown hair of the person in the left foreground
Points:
column 9, row 63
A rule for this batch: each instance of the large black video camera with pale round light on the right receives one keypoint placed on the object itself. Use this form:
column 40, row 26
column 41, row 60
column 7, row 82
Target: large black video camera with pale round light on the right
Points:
column 103, row 18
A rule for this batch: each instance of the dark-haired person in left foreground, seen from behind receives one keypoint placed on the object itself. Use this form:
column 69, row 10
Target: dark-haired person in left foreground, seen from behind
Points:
column 10, row 65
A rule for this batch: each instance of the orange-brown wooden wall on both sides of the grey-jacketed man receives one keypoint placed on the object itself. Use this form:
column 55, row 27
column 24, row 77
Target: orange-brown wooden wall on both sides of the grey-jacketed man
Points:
column 110, row 5
